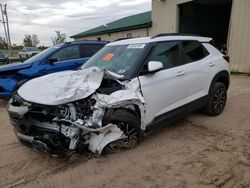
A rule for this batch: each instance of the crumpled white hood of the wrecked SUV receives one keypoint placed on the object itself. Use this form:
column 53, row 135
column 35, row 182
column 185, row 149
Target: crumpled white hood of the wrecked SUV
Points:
column 62, row 87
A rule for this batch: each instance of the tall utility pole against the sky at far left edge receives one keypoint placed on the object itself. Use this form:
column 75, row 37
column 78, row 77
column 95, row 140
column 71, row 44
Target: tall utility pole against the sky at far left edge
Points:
column 6, row 27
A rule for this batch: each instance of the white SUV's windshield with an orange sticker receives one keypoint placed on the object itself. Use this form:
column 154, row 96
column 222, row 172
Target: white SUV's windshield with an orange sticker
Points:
column 118, row 59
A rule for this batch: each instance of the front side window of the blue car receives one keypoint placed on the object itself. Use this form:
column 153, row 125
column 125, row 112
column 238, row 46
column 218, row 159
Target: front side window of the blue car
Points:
column 67, row 53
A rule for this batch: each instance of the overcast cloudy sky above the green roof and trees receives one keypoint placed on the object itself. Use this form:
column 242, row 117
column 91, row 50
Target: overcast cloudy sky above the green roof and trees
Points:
column 44, row 17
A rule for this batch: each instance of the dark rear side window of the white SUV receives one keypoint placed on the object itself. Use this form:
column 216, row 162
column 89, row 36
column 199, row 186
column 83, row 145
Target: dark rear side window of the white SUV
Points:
column 193, row 51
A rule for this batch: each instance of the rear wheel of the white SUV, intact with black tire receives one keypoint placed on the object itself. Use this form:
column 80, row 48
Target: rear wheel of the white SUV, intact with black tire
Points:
column 217, row 99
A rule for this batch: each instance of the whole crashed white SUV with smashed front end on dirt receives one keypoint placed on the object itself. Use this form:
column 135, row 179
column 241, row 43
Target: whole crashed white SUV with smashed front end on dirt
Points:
column 127, row 87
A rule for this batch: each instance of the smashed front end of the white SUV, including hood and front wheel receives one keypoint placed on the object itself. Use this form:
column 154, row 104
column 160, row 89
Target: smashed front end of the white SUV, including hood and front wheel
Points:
column 66, row 113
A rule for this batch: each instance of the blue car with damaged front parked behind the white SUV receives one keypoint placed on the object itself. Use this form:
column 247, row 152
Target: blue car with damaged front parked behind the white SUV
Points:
column 66, row 56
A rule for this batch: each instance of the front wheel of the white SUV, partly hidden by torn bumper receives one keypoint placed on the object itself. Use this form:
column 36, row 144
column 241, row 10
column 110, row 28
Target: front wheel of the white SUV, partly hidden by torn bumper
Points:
column 129, row 123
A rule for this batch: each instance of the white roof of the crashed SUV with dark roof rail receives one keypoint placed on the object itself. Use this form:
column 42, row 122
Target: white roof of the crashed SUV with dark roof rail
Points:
column 145, row 40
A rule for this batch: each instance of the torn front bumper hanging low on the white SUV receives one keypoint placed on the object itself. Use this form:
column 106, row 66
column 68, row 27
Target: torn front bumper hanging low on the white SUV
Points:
column 60, row 137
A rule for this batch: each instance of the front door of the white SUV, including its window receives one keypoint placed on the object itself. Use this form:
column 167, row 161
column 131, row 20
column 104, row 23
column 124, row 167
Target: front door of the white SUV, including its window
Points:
column 166, row 89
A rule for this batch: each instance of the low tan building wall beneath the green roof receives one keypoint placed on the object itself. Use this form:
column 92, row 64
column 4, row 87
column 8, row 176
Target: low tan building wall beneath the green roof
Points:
column 114, row 36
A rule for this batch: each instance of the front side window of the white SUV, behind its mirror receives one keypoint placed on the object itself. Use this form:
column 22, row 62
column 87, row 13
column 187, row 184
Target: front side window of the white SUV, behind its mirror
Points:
column 167, row 53
